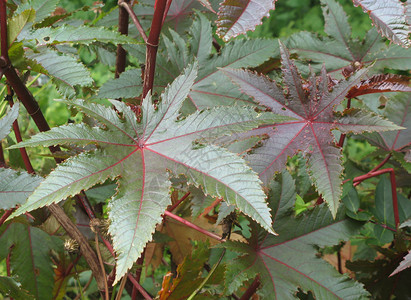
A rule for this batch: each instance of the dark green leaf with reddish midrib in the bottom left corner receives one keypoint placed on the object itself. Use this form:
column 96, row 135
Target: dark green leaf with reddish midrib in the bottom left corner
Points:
column 30, row 258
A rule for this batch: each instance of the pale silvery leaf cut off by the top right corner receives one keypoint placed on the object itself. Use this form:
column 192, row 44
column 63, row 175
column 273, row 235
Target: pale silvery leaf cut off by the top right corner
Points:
column 389, row 17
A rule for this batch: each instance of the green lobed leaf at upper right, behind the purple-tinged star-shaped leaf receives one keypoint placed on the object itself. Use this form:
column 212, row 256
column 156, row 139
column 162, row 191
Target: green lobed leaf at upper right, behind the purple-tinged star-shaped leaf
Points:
column 341, row 52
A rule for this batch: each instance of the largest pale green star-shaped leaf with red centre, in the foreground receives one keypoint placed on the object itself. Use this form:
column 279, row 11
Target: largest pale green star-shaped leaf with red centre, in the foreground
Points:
column 140, row 155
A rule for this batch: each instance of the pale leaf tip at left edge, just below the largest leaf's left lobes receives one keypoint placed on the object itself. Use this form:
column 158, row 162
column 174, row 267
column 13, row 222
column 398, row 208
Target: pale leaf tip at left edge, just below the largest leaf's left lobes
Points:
column 15, row 187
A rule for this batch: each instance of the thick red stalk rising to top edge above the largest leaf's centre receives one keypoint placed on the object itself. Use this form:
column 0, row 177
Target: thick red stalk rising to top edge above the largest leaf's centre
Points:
column 152, row 46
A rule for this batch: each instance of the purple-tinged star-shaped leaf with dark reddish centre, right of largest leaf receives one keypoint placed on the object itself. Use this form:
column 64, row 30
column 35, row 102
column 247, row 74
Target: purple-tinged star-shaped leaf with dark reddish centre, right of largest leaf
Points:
column 312, row 105
